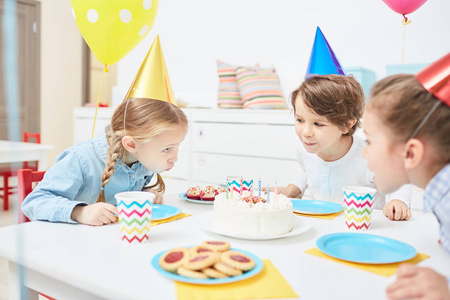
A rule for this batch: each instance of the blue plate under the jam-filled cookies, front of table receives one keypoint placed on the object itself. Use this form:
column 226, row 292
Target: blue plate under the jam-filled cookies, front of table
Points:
column 258, row 267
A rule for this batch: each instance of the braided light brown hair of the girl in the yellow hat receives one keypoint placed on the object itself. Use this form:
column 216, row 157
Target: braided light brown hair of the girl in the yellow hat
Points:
column 145, row 119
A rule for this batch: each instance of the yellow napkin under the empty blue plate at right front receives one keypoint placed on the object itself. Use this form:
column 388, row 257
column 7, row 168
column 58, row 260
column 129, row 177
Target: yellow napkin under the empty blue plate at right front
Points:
column 383, row 269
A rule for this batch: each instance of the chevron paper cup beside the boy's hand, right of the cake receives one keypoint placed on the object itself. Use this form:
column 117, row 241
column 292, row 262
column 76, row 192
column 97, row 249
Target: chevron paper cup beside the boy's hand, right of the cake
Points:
column 358, row 207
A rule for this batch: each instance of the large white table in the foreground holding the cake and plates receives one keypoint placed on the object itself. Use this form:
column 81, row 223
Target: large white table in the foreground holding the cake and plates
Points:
column 82, row 262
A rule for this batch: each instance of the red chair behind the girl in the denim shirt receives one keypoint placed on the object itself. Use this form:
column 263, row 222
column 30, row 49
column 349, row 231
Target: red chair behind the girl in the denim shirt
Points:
column 26, row 178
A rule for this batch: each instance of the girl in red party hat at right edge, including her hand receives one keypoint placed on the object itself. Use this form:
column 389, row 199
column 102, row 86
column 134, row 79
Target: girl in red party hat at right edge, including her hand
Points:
column 407, row 124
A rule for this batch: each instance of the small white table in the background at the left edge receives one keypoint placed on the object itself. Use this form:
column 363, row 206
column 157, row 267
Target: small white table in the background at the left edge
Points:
column 11, row 152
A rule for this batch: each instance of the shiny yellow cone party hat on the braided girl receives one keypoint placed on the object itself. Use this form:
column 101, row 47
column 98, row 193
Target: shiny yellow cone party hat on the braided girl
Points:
column 152, row 80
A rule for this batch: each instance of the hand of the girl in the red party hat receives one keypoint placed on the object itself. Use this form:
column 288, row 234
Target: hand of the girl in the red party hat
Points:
column 418, row 283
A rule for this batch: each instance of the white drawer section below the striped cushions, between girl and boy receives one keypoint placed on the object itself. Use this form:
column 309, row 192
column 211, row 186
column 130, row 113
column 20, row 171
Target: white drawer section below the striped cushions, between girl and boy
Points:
column 251, row 143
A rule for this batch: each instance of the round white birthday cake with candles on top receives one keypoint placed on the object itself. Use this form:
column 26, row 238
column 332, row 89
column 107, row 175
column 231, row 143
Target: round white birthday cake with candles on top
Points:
column 252, row 215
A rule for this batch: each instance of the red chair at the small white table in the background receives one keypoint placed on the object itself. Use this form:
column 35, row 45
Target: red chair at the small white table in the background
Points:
column 7, row 171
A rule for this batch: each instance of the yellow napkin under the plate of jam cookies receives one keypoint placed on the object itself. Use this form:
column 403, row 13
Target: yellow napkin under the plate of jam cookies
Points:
column 269, row 283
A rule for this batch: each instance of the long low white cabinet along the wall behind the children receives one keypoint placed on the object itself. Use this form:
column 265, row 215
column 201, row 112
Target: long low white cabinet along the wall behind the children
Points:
column 220, row 143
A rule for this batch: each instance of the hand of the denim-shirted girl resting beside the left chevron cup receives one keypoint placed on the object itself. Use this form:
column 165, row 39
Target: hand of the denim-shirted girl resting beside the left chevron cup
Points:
column 96, row 214
